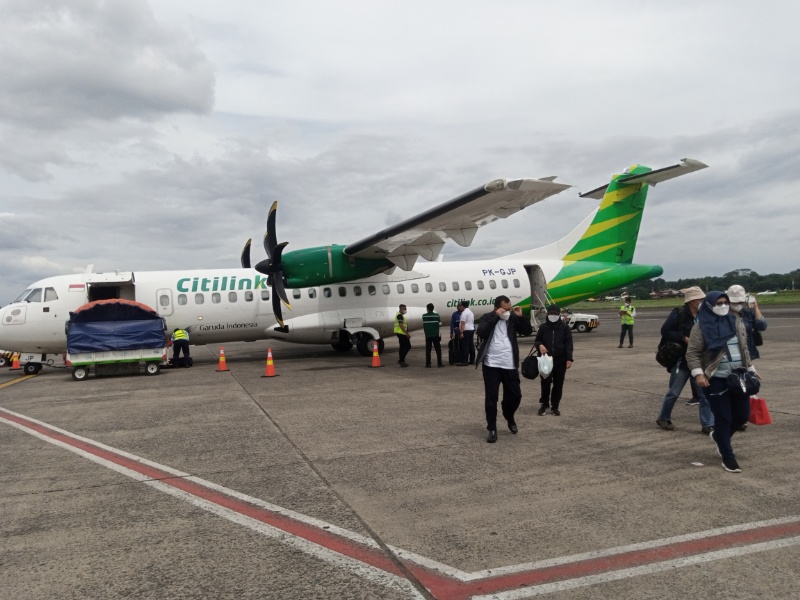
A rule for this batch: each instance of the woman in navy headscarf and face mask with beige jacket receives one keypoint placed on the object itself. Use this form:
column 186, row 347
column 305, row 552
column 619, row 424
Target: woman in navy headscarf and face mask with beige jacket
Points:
column 717, row 345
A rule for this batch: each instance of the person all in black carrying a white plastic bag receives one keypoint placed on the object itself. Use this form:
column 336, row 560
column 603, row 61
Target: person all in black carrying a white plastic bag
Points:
column 555, row 338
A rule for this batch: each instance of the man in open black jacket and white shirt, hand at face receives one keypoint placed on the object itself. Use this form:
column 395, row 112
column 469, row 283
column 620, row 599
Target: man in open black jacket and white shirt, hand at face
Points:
column 499, row 354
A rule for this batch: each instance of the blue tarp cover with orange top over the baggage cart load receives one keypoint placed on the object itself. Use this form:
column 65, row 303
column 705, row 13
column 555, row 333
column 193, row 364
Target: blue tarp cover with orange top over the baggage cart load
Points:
column 108, row 325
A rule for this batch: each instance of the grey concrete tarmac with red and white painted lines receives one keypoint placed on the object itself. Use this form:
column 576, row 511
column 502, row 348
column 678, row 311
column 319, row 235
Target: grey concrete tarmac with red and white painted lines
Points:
column 338, row 480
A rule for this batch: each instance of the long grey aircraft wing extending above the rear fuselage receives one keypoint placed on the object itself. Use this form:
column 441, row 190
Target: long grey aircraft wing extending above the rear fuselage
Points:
column 459, row 219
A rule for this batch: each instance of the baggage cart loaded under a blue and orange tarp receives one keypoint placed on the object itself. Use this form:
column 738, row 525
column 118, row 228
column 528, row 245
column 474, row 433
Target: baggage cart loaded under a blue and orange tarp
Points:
column 115, row 337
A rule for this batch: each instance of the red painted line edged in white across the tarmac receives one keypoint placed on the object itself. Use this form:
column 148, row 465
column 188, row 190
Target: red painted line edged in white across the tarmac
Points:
column 441, row 586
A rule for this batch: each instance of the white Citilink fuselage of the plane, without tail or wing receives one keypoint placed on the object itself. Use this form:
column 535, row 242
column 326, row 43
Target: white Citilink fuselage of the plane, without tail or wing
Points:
column 226, row 305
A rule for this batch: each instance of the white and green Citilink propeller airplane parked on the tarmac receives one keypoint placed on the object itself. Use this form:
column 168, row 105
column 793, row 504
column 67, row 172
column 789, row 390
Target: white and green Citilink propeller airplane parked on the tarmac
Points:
column 348, row 295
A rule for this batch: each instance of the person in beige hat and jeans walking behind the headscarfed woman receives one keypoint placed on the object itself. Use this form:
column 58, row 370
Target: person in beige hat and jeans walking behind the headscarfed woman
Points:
column 676, row 329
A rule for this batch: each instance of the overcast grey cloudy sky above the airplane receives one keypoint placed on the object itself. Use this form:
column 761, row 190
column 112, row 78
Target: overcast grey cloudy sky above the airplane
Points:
column 155, row 135
